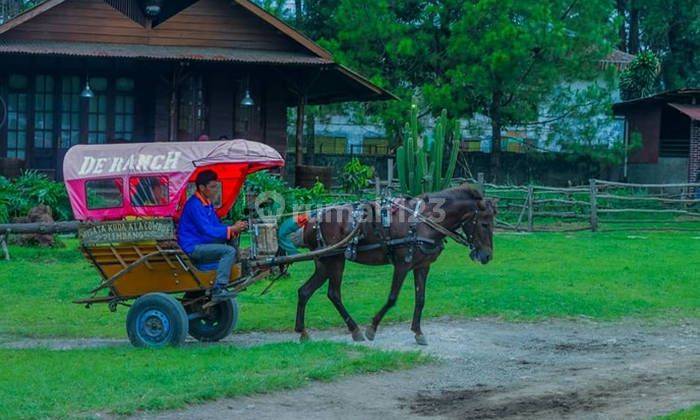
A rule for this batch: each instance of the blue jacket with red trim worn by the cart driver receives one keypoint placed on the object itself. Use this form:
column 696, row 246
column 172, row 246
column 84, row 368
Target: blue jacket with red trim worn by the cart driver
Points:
column 200, row 225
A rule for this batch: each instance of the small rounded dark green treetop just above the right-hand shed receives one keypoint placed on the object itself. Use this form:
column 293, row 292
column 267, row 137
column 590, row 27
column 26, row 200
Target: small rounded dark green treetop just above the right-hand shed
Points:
column 641, row 77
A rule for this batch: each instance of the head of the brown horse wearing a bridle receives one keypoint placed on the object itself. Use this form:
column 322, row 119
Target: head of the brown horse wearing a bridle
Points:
column 478, row 228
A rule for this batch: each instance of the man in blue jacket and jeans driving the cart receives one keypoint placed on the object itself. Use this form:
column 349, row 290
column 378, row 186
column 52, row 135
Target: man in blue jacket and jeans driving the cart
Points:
column 202, row 235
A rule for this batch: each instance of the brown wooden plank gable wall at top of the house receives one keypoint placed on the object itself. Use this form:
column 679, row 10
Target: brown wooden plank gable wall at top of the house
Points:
column 207, row 23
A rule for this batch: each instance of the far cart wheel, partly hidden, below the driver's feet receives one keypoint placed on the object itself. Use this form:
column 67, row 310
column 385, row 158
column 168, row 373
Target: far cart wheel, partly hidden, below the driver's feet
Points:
column 216, row 323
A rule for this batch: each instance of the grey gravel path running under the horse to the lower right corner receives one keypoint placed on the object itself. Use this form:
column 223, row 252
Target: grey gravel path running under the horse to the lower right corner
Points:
column 486, row 369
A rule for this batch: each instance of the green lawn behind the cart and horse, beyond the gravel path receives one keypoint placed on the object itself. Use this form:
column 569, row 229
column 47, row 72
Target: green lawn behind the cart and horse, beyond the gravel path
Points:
column 600, row 275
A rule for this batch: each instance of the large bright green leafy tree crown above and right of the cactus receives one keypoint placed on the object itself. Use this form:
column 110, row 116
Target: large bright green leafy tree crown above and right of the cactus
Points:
column 506, row 64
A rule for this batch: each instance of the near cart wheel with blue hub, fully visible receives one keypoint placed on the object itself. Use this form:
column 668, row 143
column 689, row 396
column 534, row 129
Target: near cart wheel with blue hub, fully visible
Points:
column 156, row 320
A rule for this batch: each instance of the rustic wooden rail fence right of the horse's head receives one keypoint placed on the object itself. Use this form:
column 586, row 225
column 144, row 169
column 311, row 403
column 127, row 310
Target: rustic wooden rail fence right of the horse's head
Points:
column 601, row 205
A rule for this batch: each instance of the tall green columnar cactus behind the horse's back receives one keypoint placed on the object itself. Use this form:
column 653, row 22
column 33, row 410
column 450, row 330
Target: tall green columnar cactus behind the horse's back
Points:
column 420, row 165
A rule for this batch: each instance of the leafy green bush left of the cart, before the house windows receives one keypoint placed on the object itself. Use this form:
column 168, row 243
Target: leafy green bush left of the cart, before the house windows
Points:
column 19, row 196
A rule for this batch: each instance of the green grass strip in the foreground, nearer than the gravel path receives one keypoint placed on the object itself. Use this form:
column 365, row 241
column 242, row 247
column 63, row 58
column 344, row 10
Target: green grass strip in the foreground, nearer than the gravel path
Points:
column 82, row 383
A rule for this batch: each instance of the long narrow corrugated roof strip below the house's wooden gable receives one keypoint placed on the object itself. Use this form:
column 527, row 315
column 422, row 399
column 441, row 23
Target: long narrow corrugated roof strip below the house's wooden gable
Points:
column 159, row 52
